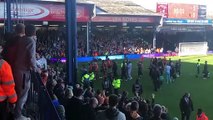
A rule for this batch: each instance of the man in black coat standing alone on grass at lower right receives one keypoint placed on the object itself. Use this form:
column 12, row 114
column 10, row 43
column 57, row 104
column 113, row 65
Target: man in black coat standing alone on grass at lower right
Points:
column 186, row 106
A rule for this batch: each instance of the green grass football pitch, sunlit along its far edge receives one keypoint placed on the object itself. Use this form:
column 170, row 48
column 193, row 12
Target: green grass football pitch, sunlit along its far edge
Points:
column 170, row 94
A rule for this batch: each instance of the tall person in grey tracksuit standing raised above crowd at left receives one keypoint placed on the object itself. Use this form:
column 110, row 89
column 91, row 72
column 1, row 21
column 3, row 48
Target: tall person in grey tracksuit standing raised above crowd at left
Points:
column 25, row 62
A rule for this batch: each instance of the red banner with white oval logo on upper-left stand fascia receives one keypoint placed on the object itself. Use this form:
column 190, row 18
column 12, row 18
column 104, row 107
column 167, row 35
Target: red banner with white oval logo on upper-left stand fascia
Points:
column 43, row 12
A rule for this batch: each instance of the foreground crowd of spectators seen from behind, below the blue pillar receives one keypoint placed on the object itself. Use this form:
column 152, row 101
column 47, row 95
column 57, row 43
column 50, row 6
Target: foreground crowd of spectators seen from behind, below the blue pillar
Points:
column 77, row 103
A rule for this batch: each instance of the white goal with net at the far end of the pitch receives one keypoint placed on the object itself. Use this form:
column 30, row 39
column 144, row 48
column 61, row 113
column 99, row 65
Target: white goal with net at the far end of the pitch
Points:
column 193, row 48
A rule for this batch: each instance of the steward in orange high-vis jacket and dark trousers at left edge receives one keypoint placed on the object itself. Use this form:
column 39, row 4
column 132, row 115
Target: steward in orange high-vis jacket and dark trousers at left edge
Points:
column 7, row 88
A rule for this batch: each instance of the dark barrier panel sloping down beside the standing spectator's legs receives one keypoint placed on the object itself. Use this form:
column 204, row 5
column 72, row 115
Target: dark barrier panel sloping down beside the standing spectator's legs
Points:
column 40, row 101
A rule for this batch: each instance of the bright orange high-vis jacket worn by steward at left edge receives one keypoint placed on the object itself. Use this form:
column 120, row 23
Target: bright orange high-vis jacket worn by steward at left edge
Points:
column 7, row 84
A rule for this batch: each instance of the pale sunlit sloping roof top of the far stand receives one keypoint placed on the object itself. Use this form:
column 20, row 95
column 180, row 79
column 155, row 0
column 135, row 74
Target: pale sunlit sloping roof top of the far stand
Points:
column 120, row 7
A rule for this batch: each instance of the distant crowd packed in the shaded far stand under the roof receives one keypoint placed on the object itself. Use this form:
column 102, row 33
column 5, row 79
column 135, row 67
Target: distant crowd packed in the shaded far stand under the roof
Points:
column 52, row 41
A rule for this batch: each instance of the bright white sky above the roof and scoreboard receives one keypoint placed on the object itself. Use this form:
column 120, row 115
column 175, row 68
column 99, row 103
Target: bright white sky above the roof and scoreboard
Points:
column 152, row 3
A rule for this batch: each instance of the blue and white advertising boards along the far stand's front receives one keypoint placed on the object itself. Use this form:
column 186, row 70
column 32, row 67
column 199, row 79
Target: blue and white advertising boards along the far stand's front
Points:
column 117, row 57
